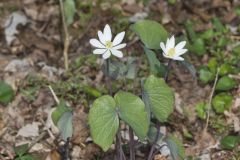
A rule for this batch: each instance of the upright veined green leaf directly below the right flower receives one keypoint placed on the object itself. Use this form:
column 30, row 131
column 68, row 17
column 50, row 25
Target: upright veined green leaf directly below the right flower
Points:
column 161, row 97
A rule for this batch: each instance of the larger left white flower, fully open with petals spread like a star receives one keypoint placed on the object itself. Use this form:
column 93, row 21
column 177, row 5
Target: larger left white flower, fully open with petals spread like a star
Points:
column 106, row 46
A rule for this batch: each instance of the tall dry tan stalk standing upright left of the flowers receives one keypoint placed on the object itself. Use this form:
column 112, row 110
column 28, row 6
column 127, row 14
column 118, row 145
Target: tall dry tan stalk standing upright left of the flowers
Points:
column 66, row 40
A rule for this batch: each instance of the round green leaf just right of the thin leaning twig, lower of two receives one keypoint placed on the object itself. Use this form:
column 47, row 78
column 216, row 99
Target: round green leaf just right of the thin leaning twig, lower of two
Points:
column 222, row 102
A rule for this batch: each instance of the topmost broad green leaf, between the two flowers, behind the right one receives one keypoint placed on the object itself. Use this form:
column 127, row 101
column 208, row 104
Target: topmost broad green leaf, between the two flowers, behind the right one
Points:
column 150, row 32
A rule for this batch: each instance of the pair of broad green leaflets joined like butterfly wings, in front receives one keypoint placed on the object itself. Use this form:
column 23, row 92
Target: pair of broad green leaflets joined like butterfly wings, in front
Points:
column 107, row 111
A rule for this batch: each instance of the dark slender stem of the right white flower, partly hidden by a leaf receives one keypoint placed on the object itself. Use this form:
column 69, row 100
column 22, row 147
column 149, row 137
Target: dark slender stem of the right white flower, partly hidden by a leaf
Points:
column 158, row 123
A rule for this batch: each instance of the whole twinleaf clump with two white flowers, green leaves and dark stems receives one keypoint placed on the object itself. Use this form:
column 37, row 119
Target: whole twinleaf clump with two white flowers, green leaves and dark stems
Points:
column 157, row 98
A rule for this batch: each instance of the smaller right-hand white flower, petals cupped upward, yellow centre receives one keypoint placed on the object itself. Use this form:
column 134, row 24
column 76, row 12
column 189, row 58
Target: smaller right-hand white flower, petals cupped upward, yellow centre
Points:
column 173, row 52
